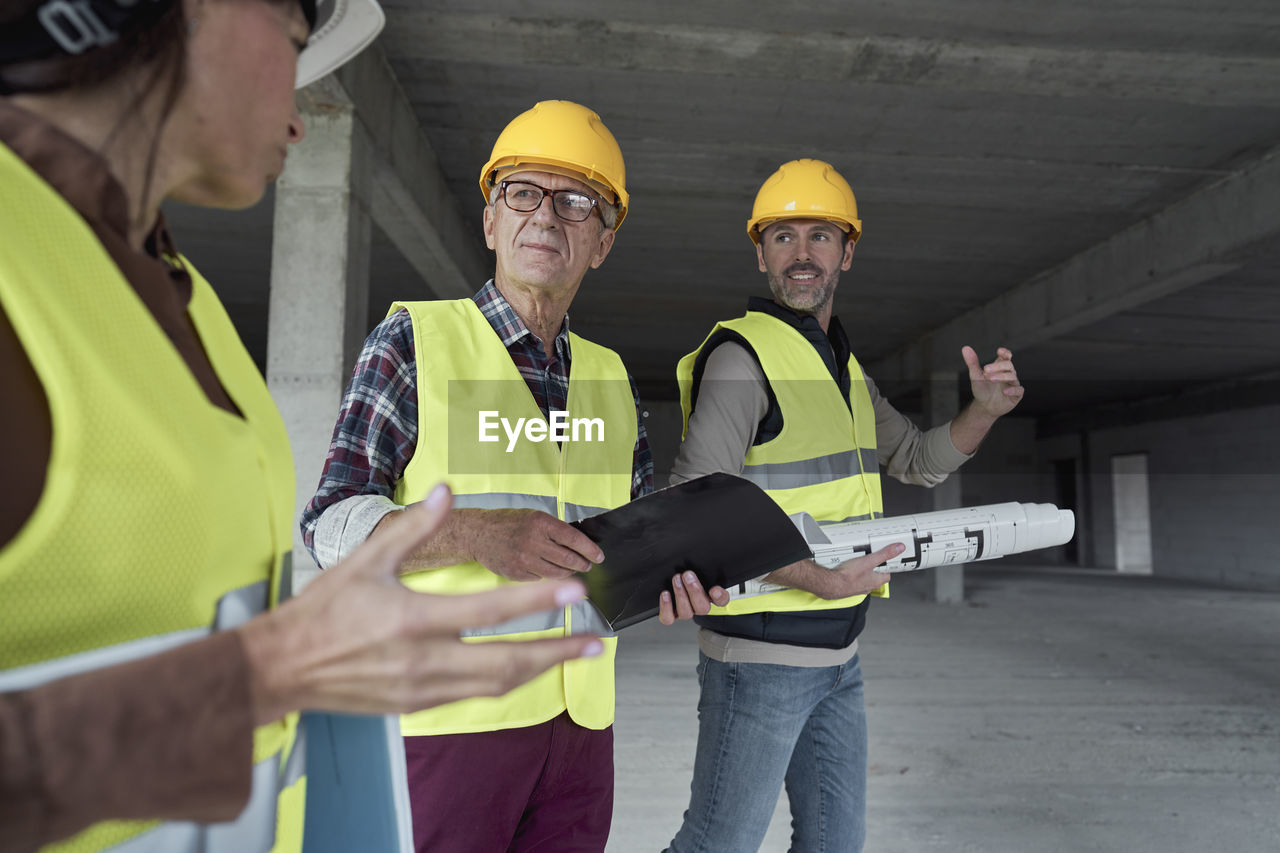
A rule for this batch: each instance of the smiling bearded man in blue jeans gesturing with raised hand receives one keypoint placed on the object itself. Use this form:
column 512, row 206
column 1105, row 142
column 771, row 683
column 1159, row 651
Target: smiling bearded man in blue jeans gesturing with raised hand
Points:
column 778, row 398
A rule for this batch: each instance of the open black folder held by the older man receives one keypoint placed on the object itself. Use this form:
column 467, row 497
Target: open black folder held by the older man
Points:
column 721, row 527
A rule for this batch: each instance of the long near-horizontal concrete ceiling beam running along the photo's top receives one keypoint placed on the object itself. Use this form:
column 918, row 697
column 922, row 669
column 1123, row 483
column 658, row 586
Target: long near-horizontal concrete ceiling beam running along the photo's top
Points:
column 1181, row 77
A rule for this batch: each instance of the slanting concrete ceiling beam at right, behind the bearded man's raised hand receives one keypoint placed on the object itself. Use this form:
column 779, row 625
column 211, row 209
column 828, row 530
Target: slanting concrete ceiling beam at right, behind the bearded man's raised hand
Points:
column 1192, row 241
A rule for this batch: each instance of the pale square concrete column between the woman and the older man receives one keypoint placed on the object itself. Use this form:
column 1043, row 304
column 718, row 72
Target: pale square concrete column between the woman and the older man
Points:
column 319, row 288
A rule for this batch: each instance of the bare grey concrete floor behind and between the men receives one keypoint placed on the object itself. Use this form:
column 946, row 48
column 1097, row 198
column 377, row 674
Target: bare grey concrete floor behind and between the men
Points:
column 1054, row 713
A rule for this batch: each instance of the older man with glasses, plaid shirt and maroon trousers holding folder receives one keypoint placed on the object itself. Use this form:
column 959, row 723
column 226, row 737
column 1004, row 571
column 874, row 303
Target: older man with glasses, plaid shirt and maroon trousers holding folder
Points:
column 532, row 769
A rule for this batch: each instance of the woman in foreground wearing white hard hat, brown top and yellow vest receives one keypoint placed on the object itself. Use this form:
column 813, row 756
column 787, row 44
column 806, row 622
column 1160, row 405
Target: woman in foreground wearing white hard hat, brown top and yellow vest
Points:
column 150, row 668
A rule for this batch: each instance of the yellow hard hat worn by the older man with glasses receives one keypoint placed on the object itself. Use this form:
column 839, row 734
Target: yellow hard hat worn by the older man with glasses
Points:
column 566, row 139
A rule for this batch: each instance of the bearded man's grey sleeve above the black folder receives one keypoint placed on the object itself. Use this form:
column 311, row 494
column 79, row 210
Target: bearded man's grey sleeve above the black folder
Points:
column 732, row 402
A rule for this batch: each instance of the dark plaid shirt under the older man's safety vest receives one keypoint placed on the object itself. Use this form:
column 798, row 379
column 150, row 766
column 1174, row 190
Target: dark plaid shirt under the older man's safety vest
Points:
column 378, row 428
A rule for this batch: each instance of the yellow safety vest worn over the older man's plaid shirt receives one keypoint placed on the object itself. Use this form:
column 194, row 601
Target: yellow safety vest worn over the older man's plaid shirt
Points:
column 464, row 371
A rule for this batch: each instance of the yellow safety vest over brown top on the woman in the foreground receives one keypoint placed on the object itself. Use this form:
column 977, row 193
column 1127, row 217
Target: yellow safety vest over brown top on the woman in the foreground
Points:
column 163, row 518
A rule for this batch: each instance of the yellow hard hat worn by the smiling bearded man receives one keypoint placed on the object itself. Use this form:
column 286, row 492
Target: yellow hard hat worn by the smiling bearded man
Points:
column 806, row 190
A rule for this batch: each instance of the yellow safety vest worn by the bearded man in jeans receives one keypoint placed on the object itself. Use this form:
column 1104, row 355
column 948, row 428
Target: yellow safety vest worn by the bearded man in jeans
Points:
column 824, row 462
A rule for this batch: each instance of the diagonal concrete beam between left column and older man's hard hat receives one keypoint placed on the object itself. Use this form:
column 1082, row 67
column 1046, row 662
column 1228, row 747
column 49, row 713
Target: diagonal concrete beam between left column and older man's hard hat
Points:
column 409, row 194
